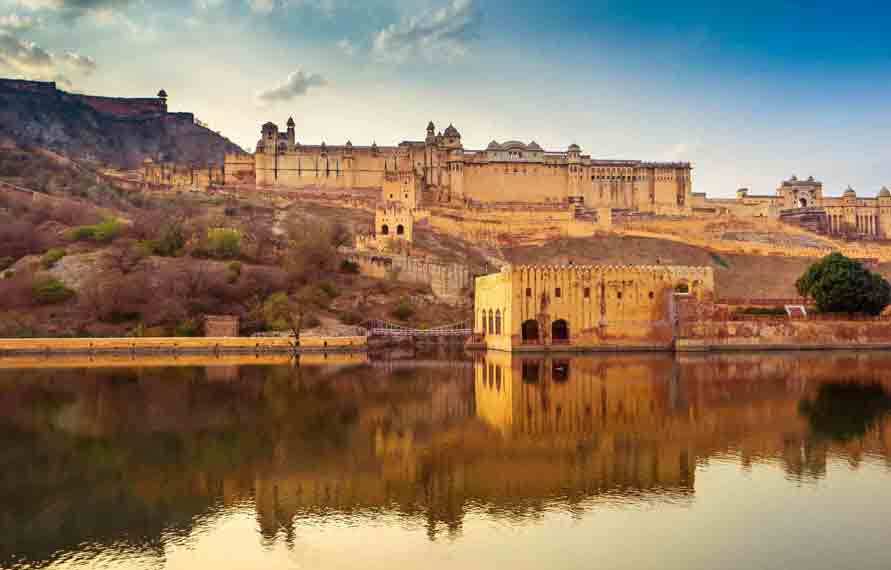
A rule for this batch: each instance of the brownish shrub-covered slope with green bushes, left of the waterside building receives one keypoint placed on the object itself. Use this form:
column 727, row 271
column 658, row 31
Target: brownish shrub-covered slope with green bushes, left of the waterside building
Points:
column 98, row 261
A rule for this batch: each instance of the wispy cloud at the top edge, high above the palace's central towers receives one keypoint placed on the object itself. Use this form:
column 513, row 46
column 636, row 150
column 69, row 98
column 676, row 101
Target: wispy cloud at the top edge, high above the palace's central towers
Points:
column 443, row 32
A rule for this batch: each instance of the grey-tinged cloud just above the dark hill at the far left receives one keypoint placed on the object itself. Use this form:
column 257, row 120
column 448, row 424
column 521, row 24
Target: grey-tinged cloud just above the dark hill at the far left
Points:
column 21, row 58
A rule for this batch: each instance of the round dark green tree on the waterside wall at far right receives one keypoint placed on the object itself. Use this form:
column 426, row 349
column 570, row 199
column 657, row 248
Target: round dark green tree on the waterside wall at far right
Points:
column 838, row 284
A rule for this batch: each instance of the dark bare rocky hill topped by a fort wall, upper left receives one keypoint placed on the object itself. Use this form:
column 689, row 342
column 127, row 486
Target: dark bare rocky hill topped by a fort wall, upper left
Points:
column 39, row 115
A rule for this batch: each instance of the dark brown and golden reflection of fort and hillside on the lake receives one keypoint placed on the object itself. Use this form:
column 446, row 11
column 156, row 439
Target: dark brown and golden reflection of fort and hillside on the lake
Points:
column 136, row 455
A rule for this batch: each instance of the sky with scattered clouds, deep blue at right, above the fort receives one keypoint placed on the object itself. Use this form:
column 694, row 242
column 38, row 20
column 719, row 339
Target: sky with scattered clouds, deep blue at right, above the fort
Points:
column 749, row 92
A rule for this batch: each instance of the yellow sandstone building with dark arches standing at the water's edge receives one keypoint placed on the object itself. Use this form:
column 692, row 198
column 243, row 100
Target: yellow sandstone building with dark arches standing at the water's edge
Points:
column 583, row 307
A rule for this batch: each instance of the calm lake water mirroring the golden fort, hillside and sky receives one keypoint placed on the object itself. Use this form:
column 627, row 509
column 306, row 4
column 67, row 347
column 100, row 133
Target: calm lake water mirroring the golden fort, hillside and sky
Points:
column 434, row 461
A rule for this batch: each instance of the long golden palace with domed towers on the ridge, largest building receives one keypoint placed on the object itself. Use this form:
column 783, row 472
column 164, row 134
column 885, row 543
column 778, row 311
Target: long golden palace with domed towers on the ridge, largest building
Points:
column 502, row 172
